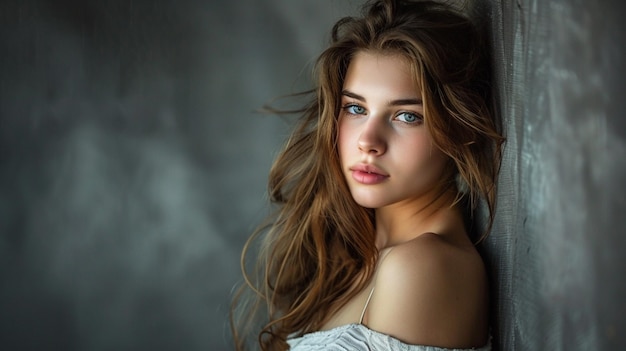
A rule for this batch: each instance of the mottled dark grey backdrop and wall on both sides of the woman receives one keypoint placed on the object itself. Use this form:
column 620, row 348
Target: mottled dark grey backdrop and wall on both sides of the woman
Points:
column 133, row 166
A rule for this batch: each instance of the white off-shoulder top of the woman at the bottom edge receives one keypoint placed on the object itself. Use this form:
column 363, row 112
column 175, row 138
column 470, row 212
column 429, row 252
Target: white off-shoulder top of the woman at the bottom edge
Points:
column 358, row 337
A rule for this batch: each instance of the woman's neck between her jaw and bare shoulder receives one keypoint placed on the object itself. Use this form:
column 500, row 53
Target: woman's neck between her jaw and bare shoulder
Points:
column 431, row 213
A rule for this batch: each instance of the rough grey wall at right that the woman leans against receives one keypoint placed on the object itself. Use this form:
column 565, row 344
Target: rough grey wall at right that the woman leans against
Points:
column 556, row 253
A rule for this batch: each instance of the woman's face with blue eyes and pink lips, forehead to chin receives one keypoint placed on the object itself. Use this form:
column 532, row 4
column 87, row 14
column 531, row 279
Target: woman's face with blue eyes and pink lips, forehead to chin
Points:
column 386, row 151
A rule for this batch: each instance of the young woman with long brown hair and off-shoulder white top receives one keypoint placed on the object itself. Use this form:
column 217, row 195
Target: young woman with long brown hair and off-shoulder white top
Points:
column 371, row 246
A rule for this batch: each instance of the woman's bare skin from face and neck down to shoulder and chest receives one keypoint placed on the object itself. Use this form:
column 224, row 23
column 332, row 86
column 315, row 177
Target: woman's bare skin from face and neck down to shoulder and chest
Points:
column 430, row 284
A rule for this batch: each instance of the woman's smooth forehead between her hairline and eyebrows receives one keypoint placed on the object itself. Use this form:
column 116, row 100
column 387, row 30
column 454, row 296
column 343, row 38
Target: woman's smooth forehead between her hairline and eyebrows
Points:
column 381, row 70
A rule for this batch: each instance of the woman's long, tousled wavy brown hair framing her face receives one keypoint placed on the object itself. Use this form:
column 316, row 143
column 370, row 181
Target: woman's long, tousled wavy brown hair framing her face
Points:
column 317, row 250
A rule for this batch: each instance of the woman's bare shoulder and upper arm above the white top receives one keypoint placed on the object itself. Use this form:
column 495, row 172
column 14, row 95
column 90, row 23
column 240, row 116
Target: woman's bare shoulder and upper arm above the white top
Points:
column 429, row 291
